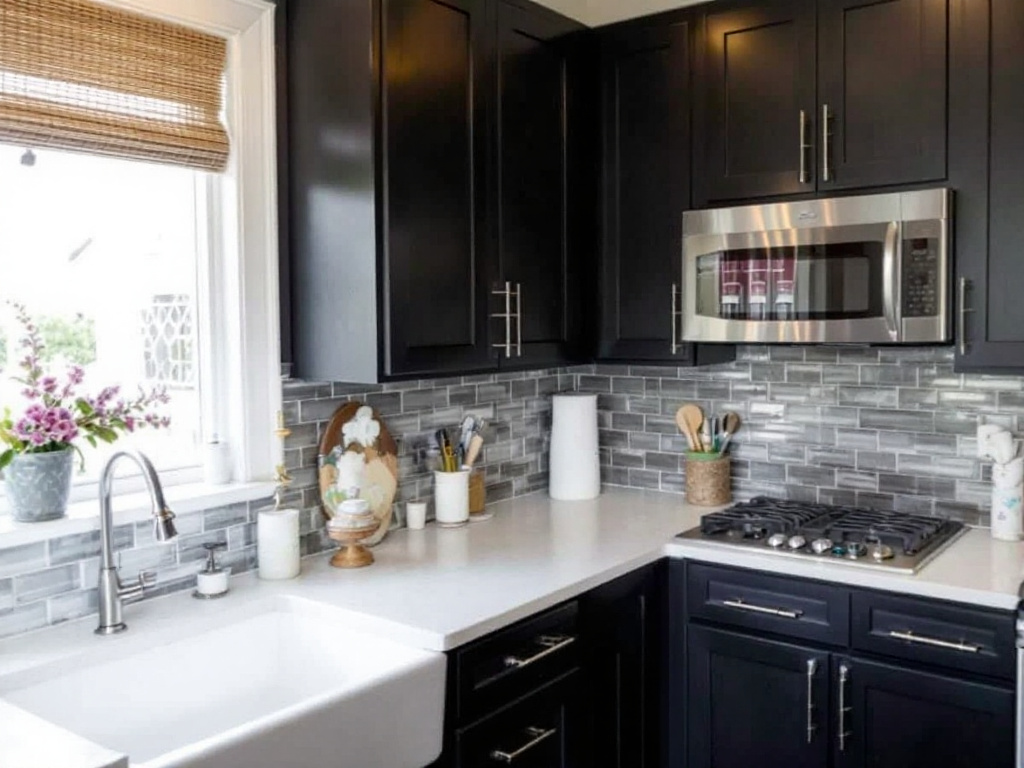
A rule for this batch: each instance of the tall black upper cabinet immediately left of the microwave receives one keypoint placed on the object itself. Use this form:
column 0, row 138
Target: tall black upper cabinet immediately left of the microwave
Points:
column 646, row 116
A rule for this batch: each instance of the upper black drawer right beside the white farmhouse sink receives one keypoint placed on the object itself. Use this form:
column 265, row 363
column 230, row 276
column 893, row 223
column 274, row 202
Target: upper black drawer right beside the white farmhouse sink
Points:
column 513, row 662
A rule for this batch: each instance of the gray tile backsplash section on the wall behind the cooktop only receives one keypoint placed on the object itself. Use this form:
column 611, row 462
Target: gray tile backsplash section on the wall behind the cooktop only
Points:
column 891, row 428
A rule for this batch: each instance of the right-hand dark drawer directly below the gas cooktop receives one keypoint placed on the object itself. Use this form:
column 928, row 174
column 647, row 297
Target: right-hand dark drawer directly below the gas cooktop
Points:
column 956, row 636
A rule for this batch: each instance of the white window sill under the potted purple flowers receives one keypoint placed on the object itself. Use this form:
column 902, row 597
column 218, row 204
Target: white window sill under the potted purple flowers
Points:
column 84, row 517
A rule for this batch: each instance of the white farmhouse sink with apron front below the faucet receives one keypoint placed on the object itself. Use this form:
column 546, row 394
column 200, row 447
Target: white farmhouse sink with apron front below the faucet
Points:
column 287, row 686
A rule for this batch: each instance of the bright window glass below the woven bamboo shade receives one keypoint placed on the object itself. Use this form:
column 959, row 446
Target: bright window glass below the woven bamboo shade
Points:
column 104, row 254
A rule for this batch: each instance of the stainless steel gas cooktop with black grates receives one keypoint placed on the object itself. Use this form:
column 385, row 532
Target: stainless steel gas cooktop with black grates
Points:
column 852, row 536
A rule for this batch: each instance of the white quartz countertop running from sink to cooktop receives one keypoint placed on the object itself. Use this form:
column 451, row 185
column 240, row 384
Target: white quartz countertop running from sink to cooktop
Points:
column 439, row 589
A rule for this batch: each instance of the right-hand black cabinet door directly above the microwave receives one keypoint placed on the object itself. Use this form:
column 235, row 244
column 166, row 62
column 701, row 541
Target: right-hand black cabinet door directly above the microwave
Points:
column 882, row 81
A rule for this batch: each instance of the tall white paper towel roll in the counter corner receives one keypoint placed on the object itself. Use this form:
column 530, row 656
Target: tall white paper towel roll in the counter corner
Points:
column 575, row 472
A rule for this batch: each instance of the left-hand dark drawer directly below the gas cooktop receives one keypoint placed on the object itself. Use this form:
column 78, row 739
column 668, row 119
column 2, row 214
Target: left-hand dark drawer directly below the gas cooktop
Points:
column 785, row 607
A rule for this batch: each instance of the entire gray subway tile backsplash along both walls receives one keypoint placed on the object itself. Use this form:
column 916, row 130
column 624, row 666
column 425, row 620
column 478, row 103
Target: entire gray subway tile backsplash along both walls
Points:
column 886, row 428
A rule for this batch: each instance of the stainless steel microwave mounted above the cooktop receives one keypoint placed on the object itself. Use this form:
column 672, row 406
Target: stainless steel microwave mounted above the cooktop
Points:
column 872, row 270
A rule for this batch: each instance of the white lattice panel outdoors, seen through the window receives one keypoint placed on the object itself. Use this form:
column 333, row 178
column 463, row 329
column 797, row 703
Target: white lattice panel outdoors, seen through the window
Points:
column 168, row 332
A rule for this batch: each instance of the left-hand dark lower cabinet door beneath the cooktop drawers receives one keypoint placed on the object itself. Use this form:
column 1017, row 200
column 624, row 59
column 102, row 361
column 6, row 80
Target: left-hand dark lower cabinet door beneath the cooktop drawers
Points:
column 753, row 702
